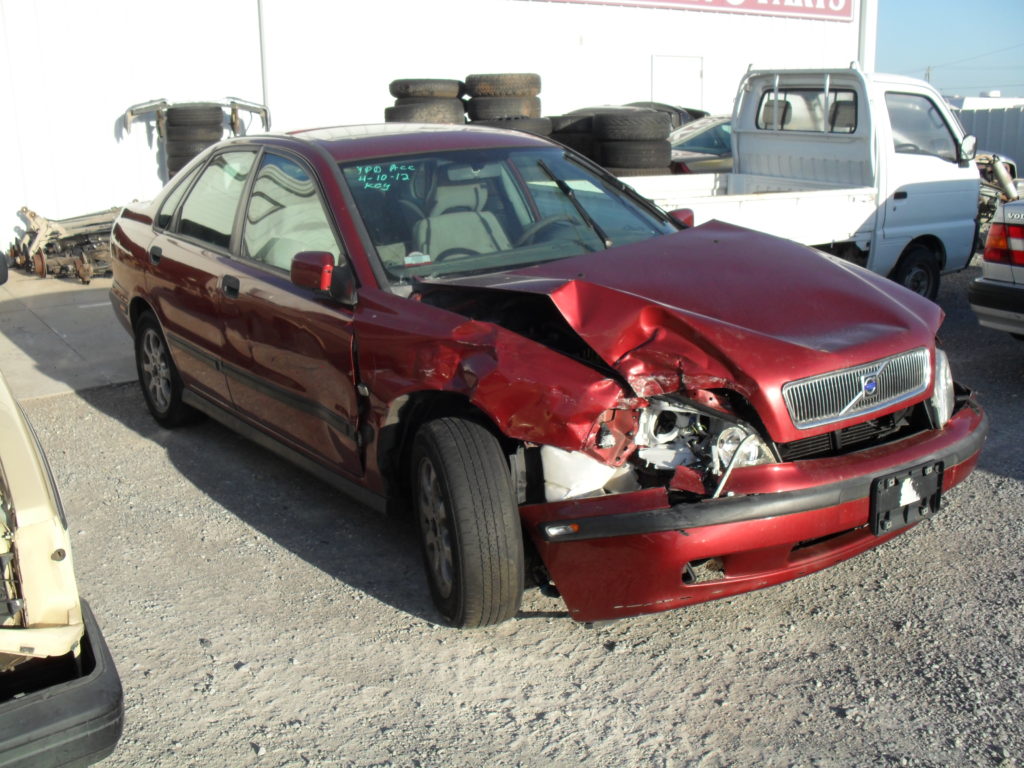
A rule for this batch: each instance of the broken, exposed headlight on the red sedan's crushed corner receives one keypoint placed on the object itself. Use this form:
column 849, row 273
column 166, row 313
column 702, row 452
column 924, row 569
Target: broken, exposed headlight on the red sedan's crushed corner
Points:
column 674, row 434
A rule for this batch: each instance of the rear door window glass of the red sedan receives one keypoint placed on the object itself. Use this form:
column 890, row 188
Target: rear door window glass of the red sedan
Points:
column 209, row 210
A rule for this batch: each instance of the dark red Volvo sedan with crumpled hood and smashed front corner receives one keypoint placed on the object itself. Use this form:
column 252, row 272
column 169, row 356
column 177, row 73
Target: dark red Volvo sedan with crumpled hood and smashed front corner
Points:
column 570, row 389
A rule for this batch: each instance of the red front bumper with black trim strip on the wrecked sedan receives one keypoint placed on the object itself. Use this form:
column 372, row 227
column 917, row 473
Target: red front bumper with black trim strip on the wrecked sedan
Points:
column 630, row 553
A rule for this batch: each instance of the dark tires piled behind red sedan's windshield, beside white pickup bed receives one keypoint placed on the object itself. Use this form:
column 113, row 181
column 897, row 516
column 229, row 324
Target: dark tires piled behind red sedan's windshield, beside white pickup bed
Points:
column 626, row 142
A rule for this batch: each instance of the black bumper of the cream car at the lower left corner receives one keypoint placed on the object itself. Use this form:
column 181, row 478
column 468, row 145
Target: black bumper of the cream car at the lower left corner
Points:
column 71, row 724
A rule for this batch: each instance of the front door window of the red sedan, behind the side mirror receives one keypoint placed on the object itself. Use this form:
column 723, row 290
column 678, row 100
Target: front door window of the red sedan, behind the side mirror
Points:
column 285, row 216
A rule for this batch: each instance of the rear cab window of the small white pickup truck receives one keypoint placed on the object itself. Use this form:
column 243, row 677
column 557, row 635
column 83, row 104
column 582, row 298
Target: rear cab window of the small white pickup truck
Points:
column 808, row 110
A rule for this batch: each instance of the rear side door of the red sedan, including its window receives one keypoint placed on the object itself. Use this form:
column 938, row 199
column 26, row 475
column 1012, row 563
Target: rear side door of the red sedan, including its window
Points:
column 188, row 261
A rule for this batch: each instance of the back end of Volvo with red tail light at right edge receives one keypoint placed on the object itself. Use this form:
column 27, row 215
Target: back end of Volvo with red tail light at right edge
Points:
column 998, row 296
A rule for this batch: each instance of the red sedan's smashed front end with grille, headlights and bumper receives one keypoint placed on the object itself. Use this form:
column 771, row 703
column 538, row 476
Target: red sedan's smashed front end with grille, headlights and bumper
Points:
column 692, row 501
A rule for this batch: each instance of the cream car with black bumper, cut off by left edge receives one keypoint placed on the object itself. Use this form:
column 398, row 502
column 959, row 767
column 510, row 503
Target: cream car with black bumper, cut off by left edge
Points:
column 61, row 699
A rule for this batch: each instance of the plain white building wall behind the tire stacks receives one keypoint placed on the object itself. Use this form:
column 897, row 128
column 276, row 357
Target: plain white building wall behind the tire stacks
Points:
column 70, row 68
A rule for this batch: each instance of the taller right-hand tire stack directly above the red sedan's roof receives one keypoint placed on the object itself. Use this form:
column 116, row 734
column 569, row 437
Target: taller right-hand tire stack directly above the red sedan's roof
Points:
column 507, row 101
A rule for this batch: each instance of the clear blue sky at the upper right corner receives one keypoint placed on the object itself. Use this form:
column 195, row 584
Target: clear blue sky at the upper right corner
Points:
column 970, row 46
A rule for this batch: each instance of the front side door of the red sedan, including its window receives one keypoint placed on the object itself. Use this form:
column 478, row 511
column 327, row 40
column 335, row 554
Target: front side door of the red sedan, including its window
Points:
column 289, row 354
